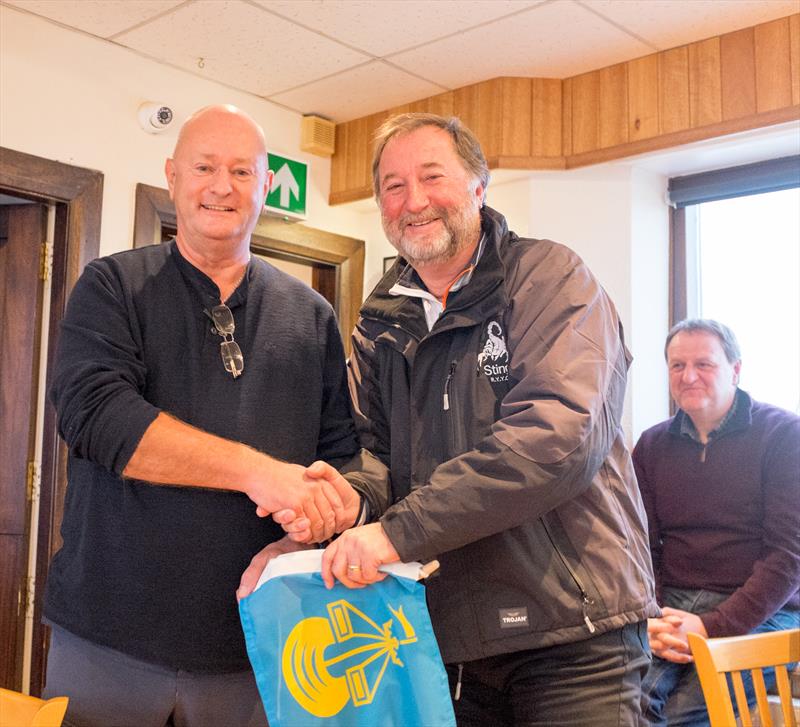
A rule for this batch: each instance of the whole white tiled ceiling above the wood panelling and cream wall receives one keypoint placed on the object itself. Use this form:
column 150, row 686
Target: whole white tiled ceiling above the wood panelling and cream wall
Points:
column 348, row 58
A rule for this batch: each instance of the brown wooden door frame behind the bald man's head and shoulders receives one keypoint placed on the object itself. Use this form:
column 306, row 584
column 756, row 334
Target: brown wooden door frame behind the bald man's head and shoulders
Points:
column 154, row 208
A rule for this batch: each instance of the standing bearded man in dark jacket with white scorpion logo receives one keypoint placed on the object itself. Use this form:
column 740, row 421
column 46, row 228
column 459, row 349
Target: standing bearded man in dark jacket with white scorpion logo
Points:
column 488, row 375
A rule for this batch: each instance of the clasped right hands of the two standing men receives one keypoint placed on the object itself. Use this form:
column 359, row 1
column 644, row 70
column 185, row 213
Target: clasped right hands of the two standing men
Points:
column 311, row 503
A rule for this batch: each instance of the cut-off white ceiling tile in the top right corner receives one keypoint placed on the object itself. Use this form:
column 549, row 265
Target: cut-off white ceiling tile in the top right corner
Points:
column 670, row 23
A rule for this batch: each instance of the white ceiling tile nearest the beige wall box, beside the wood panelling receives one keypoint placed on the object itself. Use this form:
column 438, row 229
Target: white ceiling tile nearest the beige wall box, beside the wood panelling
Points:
column 357, row 92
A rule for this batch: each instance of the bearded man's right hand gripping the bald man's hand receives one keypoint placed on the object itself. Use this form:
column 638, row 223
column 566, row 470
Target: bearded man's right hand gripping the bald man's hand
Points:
column 333, row 486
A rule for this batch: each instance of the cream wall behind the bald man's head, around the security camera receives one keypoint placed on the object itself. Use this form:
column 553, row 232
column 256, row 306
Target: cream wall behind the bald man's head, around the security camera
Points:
column 70, row 97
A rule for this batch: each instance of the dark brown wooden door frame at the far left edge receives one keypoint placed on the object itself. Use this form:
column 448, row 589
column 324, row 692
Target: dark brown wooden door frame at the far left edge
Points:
column 78, row 195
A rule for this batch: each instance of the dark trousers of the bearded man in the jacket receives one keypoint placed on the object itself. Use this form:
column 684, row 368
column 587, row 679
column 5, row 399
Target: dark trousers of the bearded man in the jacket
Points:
column 591, row 683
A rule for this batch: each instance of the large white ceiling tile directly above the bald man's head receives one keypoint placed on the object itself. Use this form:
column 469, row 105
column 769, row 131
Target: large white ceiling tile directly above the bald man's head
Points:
column 241, row 45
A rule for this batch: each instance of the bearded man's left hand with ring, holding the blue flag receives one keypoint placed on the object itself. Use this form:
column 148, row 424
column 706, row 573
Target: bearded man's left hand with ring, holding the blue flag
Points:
column 354, row 557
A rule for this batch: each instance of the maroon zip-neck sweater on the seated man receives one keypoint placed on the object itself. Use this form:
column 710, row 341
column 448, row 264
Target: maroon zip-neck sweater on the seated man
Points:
column 726, row 519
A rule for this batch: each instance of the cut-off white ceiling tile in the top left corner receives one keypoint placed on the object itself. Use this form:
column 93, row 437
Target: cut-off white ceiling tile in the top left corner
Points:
column 98, row 17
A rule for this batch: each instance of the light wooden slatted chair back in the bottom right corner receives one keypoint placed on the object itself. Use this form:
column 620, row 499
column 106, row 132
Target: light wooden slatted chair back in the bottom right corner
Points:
column 714, row 658
